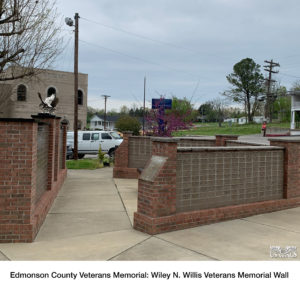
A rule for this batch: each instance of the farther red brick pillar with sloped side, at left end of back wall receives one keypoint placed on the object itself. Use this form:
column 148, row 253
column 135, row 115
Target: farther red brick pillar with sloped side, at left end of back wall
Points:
column 121, row 169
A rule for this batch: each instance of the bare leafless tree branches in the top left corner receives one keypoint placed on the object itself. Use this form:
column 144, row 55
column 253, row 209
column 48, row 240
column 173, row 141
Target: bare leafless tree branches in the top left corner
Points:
column 29, row 37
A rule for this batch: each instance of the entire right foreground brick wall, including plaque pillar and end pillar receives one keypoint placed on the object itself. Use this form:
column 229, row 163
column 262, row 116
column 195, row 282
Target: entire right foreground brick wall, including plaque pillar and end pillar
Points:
column 261, row 180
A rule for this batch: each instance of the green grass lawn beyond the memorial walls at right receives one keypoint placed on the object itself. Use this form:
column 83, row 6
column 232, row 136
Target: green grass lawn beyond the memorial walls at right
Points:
column 211, row 129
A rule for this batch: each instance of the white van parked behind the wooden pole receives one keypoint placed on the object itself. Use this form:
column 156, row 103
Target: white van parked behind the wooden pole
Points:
column 90, row 141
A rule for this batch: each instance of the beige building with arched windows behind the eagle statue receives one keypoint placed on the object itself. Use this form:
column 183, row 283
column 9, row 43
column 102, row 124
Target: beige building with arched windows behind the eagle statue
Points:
column 19, row 98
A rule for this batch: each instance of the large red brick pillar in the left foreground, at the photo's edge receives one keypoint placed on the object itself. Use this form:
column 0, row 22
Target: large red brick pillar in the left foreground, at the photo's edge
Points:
column 18, row 153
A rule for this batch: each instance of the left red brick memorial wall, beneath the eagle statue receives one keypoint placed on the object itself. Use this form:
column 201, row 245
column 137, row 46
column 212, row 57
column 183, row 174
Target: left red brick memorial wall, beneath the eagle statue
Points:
column 23, row 206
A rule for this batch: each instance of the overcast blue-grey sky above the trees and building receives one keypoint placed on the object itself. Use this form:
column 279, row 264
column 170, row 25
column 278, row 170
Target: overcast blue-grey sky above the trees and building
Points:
column 184, row 48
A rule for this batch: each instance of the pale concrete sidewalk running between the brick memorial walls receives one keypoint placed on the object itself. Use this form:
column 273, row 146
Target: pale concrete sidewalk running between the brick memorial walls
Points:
column 91, row 219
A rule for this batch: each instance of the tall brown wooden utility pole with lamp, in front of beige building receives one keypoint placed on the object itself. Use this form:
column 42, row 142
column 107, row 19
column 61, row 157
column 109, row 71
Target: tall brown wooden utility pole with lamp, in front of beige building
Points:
column 70, row 23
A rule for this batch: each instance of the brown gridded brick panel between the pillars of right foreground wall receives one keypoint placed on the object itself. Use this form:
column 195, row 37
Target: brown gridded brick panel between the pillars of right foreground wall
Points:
column 218, row 177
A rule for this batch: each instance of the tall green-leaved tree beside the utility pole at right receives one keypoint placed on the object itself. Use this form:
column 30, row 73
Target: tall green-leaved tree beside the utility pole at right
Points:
column 247, row 81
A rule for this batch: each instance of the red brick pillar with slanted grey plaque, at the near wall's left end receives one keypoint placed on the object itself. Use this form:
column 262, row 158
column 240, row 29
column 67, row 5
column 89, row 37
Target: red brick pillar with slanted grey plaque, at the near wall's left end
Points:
column 157, row 187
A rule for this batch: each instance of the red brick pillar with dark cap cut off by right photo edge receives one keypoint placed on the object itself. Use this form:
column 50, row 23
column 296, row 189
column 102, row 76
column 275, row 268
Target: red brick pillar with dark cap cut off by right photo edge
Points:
column 291, row 165
